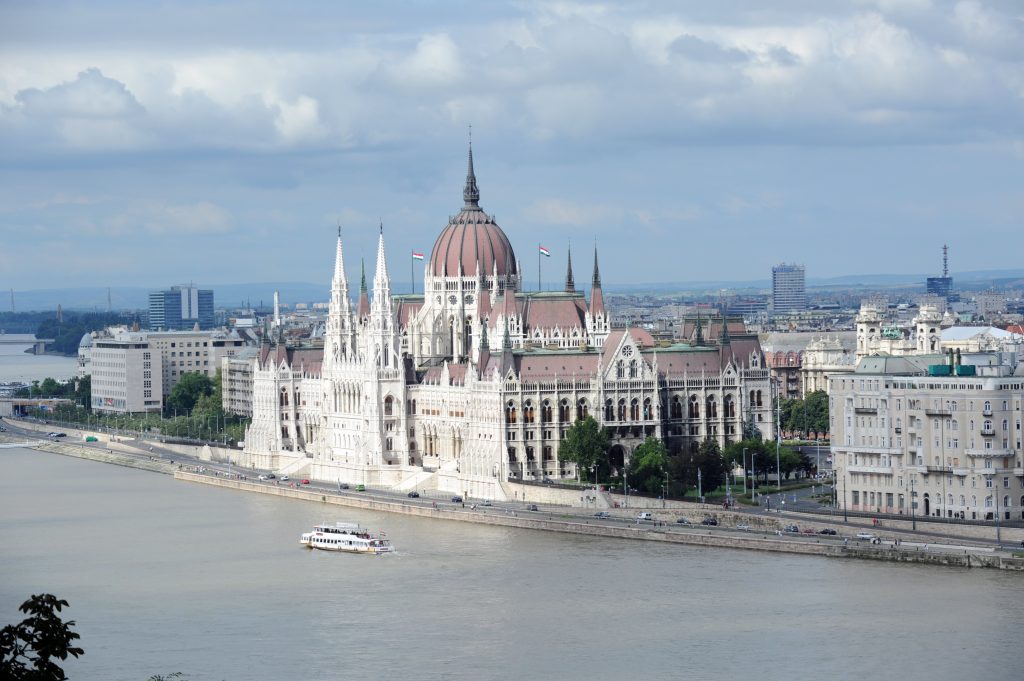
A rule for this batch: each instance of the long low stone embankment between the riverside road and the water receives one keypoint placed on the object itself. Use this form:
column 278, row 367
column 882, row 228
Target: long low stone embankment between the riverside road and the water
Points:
column 551, row 522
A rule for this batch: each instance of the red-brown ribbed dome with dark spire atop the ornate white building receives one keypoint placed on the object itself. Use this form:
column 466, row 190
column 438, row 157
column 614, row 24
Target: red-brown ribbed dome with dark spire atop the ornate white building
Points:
column 473, row 241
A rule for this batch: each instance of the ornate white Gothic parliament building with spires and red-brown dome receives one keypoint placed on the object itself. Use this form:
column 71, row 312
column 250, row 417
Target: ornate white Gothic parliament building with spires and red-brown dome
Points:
column 475, row 384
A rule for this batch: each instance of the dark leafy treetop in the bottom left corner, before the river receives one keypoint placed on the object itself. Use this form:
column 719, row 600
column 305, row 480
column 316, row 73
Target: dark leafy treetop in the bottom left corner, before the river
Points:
column 29, row 649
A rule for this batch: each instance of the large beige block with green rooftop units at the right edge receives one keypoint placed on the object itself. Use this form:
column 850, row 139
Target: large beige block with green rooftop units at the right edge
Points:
column 916, row 429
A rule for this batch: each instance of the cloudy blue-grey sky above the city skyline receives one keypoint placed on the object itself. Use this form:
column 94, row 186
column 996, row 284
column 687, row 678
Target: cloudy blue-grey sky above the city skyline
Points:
column 157, row 144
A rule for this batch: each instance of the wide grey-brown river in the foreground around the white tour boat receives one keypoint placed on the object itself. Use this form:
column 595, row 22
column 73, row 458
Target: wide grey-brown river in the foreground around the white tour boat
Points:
column 164, row 577
